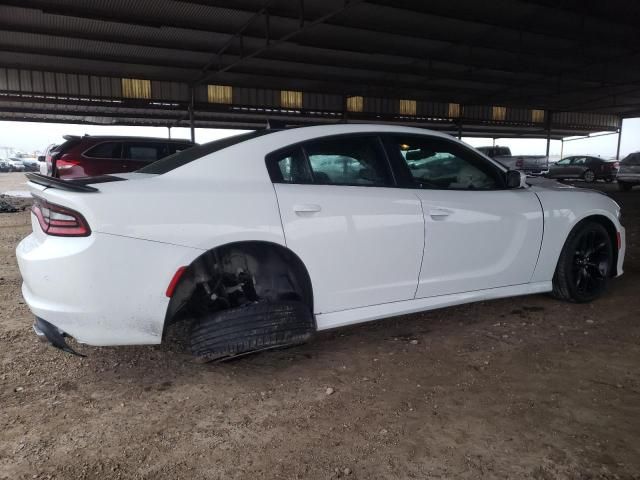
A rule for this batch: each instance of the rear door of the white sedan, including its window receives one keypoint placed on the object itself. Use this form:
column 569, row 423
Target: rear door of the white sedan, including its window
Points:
column 360, row 238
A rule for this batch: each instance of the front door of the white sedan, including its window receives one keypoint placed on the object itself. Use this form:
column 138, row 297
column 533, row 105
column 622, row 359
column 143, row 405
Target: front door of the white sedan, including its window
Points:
column 478, row 234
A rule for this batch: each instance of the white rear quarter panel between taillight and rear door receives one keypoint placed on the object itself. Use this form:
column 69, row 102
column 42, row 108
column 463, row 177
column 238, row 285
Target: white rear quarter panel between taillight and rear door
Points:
column 221, row 198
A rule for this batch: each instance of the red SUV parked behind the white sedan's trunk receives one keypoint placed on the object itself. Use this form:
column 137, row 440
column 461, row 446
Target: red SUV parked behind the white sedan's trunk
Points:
column 89, row 155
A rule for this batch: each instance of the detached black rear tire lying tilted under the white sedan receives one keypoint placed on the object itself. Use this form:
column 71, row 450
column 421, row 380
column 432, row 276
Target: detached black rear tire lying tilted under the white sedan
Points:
column 252, row 328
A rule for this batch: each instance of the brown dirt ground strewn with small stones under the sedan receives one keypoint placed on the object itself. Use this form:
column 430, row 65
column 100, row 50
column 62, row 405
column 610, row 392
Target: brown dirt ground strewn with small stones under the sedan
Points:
column 520, row 388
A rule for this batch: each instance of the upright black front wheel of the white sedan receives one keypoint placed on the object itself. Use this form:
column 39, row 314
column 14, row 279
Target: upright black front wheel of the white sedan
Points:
column 585, row 264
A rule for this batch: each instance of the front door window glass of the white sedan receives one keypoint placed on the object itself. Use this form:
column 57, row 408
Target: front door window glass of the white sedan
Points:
column 436, row 163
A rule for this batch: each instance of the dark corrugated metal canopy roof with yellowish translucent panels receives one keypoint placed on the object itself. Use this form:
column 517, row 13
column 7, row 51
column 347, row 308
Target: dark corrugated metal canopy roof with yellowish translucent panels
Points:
column 505, row 68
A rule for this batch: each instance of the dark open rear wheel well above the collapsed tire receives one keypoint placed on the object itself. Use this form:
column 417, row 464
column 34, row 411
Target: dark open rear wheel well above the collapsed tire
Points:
column 273, row 271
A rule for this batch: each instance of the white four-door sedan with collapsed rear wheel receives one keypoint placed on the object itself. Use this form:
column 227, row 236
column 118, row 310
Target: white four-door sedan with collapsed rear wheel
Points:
column 260, row 240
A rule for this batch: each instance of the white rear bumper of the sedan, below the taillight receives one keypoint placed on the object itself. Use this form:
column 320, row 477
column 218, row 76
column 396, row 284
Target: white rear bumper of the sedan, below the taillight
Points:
column 100, row 290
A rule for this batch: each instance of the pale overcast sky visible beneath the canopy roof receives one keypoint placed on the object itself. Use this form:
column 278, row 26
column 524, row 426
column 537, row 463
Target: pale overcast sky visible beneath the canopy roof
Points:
column 31, row 137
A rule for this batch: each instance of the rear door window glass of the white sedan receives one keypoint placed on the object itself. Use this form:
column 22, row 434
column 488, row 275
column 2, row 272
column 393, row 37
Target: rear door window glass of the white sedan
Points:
column 348, row 161
